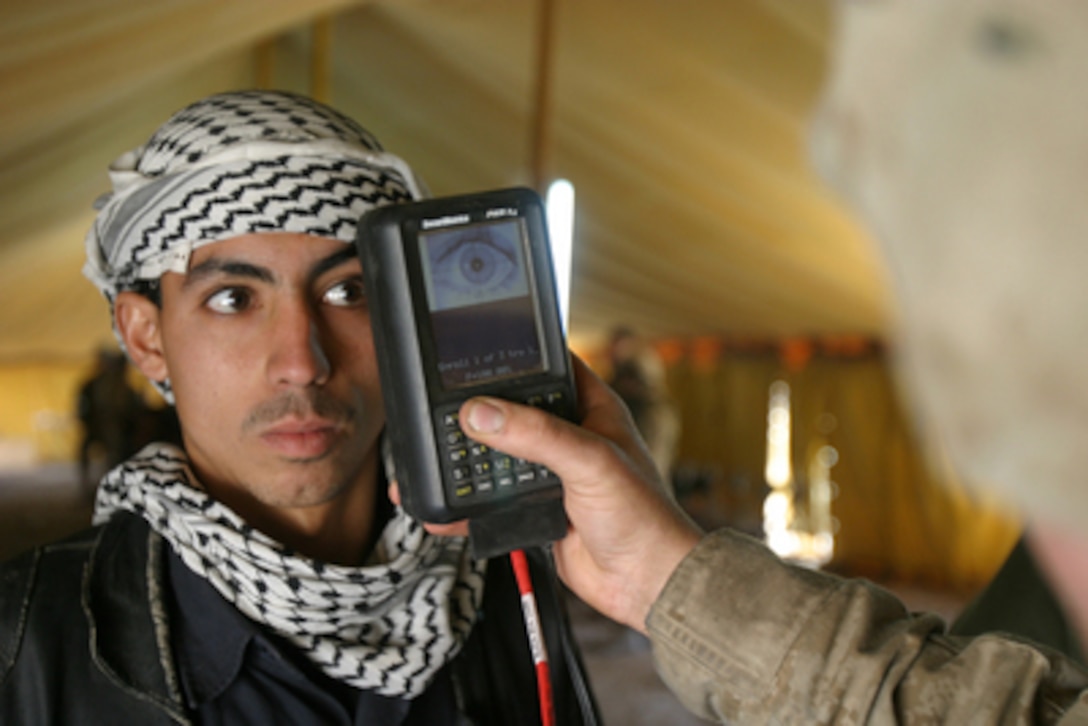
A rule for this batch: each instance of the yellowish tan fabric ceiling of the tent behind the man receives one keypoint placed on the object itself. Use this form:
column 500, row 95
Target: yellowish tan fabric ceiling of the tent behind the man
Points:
column 682, row 126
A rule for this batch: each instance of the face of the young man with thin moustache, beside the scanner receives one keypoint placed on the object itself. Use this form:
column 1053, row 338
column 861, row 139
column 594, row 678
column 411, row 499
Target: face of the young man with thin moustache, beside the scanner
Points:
column 268, row 347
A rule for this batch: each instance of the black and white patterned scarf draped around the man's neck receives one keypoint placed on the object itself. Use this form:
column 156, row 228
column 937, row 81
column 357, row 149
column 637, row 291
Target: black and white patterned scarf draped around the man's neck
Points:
column 388, row 627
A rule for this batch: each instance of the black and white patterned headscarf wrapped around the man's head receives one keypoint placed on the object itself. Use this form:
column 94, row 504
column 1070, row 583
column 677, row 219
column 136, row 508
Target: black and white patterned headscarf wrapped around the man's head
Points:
column 238, row 164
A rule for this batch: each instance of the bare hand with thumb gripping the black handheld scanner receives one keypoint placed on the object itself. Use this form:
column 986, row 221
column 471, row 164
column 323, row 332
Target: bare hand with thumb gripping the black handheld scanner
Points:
column 627, row 534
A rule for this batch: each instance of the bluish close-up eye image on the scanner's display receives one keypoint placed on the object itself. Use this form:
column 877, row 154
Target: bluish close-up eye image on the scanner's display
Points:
column 474, row 265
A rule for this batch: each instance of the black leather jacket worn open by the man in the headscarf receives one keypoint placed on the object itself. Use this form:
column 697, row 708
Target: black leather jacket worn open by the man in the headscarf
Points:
column 84, row 639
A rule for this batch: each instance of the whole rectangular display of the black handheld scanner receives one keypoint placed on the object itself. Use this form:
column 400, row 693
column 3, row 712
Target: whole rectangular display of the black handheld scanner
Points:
column 484, row 315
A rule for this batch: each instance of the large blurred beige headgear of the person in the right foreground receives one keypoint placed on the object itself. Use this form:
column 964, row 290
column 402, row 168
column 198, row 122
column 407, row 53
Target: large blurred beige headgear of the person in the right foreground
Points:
column 958, row 130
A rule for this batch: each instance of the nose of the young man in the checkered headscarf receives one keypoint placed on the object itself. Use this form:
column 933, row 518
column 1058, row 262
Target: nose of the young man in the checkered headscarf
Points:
column 299, row 356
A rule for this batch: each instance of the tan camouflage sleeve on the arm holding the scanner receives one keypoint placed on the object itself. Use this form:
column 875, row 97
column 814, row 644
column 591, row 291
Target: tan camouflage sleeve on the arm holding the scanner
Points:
column 740, row 637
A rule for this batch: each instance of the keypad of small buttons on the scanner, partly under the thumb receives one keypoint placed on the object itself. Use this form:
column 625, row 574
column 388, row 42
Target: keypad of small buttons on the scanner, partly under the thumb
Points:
column 477, row 471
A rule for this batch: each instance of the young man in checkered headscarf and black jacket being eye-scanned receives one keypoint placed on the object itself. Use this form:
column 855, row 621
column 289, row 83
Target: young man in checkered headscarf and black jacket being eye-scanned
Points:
column 261, row 573
